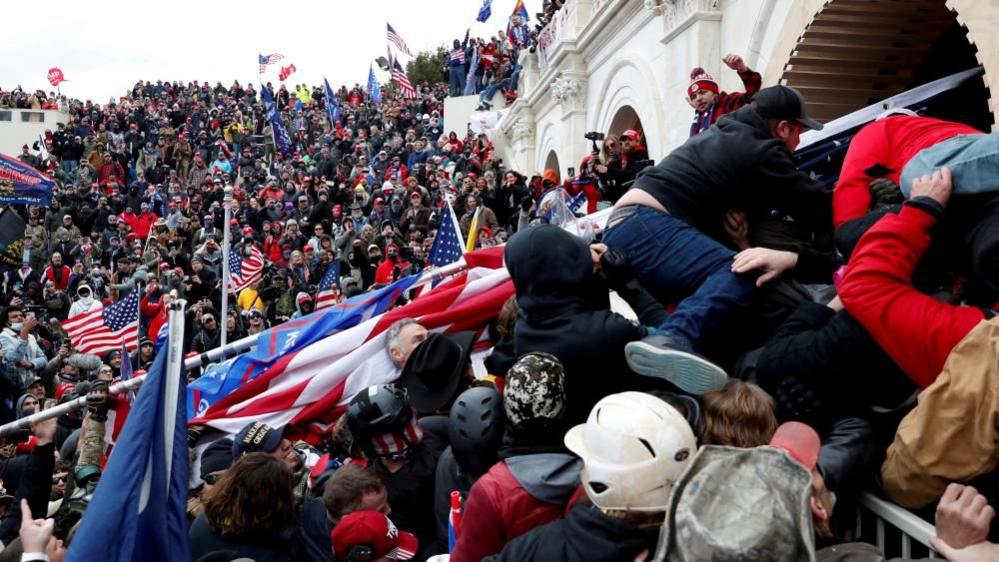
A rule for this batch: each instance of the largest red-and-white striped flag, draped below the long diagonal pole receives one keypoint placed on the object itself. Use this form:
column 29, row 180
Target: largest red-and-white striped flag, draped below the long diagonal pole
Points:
column 310, row 388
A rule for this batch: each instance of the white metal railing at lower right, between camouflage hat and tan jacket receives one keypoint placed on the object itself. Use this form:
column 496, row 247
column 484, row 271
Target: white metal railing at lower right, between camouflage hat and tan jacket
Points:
column 891, row 520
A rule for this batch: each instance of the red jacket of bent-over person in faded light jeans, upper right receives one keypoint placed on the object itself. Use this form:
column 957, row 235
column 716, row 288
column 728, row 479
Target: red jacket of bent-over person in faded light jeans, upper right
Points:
column 890, row 143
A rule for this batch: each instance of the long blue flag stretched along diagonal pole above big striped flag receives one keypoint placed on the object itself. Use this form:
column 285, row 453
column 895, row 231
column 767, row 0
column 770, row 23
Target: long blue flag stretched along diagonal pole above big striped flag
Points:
column 222, row 379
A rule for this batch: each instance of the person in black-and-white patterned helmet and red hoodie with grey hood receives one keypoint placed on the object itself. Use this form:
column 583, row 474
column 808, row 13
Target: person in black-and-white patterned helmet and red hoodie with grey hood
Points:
column 536, row 476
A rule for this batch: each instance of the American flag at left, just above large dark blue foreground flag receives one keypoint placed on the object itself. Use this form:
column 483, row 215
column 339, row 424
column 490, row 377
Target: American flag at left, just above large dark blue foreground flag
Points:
column 102, row 330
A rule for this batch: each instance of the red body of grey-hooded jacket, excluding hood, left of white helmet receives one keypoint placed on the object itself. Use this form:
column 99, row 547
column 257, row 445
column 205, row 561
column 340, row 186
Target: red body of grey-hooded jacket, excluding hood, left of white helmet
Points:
column 498, row 510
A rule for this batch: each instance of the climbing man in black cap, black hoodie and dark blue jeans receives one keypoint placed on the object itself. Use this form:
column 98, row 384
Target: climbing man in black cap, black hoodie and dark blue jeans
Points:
column 670, row 222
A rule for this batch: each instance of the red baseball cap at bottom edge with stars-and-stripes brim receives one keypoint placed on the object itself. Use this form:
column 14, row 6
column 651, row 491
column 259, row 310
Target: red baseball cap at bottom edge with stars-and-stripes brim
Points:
column 373, row 532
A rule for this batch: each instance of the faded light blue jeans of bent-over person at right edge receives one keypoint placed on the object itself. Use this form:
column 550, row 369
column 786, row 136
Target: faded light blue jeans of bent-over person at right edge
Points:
column 973, row 161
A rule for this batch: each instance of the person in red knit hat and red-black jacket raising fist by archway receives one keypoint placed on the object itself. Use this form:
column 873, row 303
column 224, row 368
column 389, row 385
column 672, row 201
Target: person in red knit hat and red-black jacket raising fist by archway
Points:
column 709, row 103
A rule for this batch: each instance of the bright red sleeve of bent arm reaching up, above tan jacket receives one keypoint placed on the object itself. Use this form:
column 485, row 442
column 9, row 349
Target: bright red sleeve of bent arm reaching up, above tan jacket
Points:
column 917, row 331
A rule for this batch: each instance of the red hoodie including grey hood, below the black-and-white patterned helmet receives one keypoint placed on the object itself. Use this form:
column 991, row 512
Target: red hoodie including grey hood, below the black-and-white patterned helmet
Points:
column 512, row 498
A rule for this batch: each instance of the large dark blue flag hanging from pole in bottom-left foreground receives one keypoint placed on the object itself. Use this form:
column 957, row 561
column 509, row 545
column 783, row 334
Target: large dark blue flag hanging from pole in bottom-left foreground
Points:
column 138, row 511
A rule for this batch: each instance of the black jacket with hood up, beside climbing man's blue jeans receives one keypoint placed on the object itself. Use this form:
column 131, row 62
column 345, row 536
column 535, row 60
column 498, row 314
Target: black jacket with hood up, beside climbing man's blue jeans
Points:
column 565, row 311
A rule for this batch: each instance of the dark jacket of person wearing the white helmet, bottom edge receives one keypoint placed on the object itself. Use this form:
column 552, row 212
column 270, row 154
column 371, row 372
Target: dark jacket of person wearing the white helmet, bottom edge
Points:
column 586, row 535
